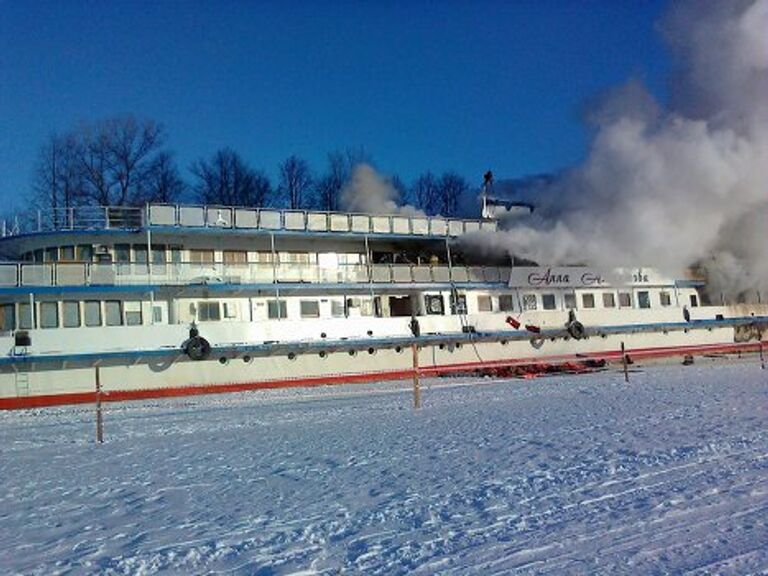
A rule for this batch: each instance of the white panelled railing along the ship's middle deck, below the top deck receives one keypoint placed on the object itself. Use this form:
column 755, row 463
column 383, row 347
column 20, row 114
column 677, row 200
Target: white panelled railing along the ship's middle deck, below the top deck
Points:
column 188, row 273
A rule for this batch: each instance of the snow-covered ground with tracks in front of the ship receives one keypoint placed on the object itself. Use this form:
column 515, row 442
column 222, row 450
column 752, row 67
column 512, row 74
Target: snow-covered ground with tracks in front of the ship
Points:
column 567, row 474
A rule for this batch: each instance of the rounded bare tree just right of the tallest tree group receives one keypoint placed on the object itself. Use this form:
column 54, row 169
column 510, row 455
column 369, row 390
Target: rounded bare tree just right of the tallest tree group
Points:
column 226, row 179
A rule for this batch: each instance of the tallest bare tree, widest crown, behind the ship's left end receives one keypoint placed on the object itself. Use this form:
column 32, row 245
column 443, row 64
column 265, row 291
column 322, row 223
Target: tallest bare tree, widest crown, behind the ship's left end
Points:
column 116, row 158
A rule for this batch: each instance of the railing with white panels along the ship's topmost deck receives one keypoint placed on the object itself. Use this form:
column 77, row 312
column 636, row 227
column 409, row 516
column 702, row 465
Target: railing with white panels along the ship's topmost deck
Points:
column 227, row 217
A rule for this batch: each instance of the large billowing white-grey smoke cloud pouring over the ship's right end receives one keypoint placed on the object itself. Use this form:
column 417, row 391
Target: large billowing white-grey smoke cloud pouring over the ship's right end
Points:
column 677, row 187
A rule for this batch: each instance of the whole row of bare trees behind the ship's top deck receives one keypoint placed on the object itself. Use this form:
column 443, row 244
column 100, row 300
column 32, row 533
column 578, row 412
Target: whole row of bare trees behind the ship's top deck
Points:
column 124, row 161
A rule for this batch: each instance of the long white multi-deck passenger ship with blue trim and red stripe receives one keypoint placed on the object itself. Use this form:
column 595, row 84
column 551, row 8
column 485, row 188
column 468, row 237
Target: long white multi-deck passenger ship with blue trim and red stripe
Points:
column 124, row 303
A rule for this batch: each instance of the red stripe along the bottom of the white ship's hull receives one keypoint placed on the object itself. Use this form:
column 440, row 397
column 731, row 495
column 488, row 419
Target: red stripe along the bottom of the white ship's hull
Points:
column 42, row 401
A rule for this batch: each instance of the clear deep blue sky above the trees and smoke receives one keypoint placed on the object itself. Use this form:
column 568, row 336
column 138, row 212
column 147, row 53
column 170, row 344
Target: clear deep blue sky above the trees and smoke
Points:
column 440, row 85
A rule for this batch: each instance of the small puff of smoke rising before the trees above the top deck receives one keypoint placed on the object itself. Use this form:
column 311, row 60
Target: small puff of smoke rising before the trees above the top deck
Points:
column 369, row 192
